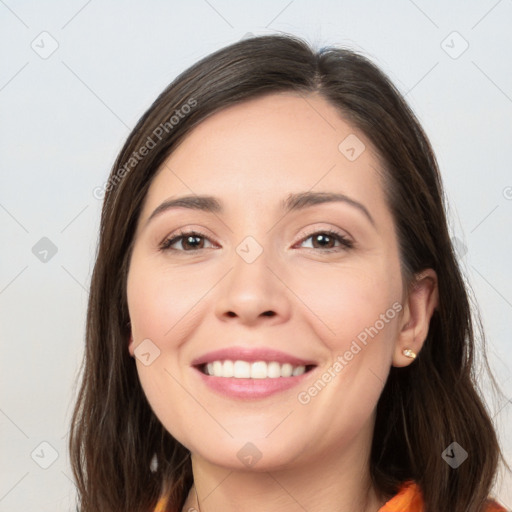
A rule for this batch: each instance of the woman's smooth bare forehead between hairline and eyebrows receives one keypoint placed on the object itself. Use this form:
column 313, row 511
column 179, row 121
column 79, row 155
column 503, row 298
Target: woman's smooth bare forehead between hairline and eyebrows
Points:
column 268, row 147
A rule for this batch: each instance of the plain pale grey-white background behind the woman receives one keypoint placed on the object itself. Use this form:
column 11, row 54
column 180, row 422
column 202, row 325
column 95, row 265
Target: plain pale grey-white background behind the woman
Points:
column 65, row 116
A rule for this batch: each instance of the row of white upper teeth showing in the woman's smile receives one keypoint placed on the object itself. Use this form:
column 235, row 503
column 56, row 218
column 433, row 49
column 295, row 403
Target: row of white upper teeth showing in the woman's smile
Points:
column 256, row 370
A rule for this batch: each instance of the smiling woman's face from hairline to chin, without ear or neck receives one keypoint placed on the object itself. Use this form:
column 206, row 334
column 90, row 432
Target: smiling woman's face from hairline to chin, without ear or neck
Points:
column 276, row 278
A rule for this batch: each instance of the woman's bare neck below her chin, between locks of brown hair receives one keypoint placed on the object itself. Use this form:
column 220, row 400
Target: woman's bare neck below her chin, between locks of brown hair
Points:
column 338, row 481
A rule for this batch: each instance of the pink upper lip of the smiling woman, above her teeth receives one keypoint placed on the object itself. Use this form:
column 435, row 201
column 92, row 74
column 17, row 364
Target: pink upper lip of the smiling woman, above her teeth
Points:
column 251, row 355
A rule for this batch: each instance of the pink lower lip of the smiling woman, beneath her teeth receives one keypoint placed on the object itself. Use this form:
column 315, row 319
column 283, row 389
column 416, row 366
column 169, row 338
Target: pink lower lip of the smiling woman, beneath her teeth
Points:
column 251, row 388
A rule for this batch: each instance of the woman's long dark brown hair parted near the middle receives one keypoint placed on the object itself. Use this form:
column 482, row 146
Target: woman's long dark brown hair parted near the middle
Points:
column 423, row 408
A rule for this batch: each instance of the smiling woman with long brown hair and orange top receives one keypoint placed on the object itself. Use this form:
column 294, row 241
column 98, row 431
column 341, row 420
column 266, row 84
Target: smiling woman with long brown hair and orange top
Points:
column 277, row 320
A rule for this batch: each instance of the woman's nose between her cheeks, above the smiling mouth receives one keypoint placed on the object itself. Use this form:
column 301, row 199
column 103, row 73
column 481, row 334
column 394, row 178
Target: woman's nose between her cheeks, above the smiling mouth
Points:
column 253, row 293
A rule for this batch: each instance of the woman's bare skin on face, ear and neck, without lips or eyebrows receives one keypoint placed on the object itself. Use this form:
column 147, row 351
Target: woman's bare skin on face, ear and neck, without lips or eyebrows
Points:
column 188, row 302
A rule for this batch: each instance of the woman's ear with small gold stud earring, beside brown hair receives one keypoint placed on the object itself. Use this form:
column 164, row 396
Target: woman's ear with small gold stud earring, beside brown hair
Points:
column 420, row 305
